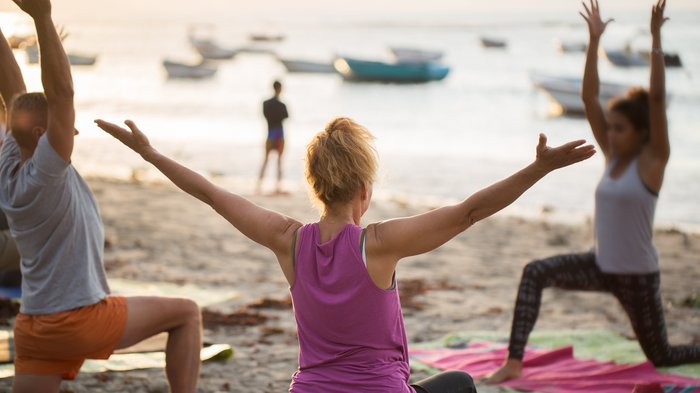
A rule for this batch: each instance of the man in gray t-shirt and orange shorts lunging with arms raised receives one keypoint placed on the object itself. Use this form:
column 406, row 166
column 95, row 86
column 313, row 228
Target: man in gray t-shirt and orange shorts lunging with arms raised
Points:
column 67, row 314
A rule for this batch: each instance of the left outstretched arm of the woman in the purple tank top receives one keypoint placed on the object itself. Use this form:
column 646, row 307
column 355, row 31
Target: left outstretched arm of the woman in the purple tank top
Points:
column 268, row 228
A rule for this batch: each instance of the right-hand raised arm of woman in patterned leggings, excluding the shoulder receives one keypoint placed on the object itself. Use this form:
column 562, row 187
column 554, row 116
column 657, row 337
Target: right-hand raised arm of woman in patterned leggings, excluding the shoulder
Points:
column 658, row 125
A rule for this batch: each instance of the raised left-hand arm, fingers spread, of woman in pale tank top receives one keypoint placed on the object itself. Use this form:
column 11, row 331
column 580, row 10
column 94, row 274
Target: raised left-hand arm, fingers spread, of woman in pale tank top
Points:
column 591, row 82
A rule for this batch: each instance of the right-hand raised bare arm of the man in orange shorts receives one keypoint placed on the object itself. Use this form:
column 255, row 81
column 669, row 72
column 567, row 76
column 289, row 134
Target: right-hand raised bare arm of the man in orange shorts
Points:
column 55, row 77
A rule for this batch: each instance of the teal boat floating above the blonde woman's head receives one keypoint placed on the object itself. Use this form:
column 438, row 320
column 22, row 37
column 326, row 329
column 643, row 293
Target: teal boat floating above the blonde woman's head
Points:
column 377, row 71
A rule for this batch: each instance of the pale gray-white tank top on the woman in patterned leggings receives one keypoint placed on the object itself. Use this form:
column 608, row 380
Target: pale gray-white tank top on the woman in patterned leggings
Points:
column 624, row 223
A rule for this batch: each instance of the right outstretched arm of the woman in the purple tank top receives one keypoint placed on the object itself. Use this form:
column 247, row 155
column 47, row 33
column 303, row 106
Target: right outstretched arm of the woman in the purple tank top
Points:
column 392, row 240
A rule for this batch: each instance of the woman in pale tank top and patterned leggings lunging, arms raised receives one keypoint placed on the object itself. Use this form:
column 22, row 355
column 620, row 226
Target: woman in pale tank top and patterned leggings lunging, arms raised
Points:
column 633, row 135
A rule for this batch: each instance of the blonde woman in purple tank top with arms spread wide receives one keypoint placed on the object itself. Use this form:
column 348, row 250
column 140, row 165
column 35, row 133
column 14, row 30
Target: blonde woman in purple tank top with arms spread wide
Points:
column 341, row 275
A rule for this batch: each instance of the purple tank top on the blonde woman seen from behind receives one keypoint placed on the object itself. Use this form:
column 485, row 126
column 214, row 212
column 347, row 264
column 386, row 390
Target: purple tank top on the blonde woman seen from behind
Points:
column 351, row 332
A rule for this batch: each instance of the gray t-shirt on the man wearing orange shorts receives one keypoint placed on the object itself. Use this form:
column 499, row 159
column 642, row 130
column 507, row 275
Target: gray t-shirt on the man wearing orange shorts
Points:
column 55, row 221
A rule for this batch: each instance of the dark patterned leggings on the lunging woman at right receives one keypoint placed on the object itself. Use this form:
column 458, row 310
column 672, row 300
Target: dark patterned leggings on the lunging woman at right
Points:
column 639, row 295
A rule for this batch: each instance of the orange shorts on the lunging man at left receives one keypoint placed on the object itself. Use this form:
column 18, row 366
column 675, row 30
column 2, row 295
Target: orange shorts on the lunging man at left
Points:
column 59, row 343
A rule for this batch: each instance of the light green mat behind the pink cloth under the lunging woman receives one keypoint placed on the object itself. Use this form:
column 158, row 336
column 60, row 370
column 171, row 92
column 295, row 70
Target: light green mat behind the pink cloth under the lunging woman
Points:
column 588, row 344
